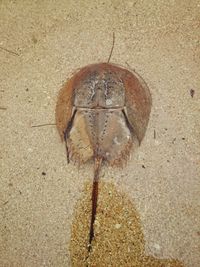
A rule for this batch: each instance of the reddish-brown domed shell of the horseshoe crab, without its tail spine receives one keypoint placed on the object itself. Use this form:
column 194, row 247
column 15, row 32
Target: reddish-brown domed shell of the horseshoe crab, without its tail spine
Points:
column 102, row 112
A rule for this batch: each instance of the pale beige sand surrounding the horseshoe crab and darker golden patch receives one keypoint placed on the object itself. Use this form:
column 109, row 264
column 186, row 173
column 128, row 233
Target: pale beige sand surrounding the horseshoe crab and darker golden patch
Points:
column 42, row 43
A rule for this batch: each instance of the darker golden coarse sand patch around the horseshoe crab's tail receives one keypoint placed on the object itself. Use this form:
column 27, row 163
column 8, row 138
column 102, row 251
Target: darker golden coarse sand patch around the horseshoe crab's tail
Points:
column 119, row 240
